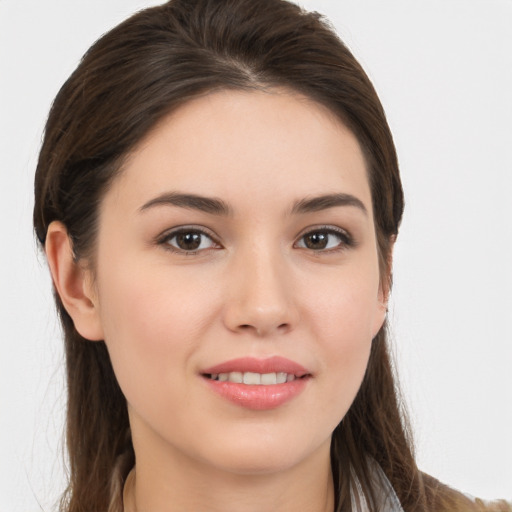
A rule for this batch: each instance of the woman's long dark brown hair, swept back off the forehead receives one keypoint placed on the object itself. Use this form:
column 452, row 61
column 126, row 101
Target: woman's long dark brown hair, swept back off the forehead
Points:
column 129, row 80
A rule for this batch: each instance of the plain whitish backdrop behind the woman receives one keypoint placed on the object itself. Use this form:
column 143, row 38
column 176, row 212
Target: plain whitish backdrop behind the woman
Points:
column 443, row 69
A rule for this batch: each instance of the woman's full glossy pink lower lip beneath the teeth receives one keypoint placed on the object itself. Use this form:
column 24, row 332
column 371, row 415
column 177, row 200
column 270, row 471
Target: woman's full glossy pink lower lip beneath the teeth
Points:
column 258, row 397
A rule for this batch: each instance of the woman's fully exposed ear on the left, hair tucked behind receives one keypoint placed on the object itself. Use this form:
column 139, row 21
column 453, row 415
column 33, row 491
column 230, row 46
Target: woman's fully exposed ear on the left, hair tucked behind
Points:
column 73, row 283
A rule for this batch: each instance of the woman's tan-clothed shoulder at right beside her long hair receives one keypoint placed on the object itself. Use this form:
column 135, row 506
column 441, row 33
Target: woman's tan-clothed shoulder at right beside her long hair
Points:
column 442, row 498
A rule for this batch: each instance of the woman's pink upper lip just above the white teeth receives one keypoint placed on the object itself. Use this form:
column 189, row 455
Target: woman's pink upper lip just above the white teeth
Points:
column 274, row 364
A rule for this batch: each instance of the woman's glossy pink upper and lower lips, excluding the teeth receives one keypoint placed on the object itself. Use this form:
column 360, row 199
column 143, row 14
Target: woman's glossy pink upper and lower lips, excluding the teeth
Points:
column 258, row 397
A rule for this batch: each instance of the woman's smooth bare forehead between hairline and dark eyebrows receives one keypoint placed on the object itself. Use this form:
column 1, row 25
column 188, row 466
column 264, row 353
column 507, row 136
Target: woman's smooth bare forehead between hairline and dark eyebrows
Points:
column 247, row 146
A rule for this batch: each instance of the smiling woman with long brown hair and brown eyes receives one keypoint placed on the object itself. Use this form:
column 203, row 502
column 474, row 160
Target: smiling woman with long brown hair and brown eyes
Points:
column 218, row 196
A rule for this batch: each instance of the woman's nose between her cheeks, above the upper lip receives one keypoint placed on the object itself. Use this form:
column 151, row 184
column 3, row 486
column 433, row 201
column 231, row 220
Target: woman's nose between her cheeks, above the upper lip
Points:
column 261, row 299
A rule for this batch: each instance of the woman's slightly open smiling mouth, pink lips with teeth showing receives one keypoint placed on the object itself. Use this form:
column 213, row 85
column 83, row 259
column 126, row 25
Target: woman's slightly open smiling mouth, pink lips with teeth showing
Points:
column 257, row 384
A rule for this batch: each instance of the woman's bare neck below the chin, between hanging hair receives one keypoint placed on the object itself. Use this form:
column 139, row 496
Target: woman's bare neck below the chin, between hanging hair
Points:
column 189, row 485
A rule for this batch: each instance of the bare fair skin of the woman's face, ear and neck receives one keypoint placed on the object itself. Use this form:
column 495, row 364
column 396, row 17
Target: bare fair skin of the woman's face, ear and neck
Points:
column 253, row 289
